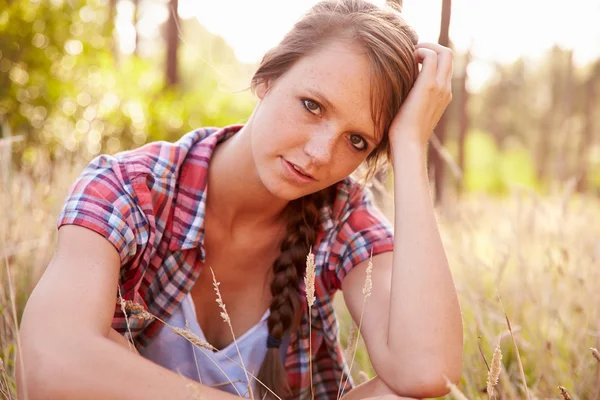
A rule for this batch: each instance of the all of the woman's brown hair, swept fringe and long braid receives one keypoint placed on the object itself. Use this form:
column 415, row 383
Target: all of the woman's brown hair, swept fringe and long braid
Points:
column 389, row 43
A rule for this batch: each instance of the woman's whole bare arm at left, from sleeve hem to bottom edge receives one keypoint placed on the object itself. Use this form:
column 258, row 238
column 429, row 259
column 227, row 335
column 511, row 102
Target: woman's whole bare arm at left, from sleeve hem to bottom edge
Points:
column 68, row 348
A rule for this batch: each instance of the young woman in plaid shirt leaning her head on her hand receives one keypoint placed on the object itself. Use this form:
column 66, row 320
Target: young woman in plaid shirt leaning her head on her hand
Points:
column 250, row 201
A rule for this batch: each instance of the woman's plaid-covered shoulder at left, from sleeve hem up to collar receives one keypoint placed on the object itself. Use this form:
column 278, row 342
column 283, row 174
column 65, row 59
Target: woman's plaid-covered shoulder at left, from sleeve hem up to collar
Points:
column 128, row 197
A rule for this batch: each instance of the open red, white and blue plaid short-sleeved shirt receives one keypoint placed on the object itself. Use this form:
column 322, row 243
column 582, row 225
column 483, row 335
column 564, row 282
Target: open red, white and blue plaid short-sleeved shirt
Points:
column 149, row 203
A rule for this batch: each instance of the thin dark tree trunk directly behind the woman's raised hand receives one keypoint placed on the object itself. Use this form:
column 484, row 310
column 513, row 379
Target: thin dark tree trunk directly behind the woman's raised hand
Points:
column 434, row 159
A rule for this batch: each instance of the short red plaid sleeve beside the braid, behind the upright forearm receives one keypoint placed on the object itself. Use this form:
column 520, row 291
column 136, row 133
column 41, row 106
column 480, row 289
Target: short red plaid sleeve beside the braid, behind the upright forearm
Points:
column 363, row 230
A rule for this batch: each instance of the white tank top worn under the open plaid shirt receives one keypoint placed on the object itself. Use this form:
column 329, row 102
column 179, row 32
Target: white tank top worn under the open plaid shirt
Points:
column 177, row 354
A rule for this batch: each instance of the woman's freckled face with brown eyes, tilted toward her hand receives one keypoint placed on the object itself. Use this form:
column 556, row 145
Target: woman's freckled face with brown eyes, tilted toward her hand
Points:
column 316, row 118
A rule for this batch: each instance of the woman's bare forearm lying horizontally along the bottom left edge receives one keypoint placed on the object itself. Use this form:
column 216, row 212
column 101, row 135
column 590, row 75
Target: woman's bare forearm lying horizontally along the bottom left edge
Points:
column 97, row 368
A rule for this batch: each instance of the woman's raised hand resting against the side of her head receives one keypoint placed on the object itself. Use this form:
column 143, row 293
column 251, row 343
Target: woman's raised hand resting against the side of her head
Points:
column 428, row 98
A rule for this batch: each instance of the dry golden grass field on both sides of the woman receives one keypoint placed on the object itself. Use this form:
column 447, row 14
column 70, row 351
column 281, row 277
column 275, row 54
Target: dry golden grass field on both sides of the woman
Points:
column 529, row 258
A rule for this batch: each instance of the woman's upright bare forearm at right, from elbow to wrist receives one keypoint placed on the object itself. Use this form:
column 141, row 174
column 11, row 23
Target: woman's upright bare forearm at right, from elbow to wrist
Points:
column 425, row 327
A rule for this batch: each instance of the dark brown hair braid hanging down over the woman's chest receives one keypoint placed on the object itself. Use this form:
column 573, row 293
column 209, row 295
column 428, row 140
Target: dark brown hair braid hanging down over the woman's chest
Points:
column 288, row 270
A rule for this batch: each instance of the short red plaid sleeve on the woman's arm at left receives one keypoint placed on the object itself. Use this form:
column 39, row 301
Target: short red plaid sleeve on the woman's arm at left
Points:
column 103, row 199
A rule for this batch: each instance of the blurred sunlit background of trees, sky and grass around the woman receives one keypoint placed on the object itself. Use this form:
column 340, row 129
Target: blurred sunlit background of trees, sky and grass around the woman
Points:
column 514, row 162
